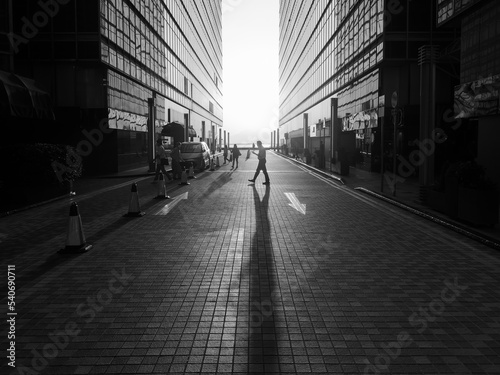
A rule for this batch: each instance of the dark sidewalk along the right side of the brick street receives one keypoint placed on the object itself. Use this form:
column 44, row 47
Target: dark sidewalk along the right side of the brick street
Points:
column 407, row 196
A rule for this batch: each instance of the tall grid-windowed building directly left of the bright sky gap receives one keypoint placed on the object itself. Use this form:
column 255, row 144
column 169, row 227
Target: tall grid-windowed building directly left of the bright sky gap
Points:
column 111, row 67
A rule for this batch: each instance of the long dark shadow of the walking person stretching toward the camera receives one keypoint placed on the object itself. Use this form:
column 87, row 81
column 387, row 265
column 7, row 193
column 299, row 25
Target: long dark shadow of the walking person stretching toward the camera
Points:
column 263, row 352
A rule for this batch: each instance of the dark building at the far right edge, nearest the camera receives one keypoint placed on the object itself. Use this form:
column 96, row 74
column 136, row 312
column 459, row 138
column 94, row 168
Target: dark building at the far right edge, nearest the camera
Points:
column 476, row 97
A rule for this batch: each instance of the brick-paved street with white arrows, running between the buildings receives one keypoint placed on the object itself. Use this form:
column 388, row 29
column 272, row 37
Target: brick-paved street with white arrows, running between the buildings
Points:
column 302, row 276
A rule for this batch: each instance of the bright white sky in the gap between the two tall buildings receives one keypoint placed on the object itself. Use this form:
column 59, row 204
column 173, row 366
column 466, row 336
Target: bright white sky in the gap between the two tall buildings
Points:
column 250, row 72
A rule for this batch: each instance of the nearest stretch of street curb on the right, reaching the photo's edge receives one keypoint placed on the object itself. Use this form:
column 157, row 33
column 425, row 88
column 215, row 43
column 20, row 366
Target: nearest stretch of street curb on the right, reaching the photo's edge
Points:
column 485, row 240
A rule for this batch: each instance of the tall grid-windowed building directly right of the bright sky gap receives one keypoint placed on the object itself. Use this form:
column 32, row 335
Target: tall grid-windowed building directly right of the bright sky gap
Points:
column 360, row 63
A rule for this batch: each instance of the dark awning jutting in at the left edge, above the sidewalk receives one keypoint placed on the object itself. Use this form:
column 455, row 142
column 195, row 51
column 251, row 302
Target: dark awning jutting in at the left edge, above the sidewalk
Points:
column 20, row 97
